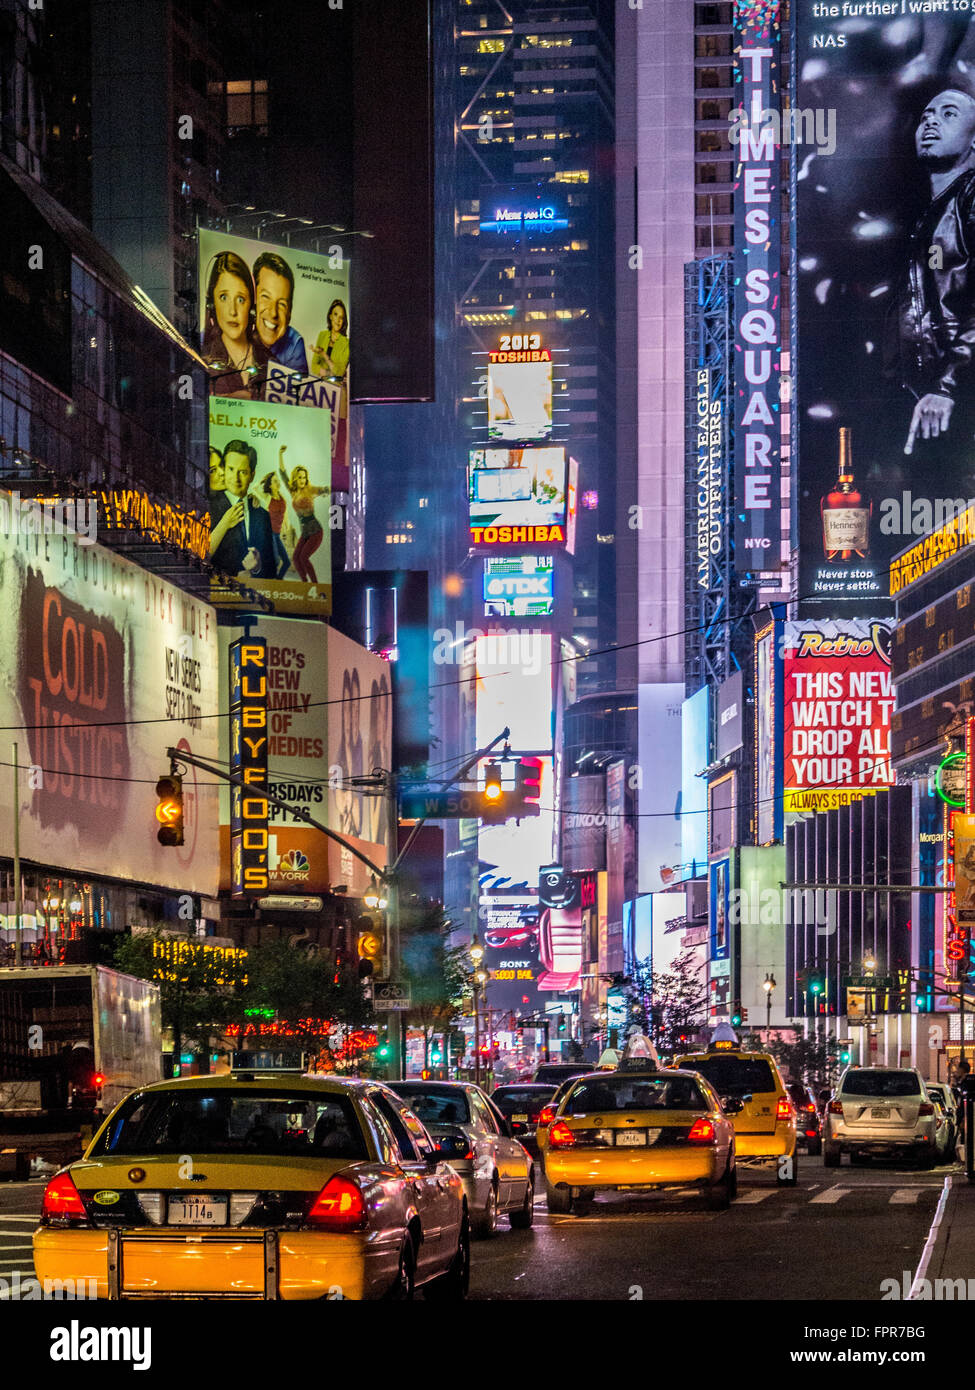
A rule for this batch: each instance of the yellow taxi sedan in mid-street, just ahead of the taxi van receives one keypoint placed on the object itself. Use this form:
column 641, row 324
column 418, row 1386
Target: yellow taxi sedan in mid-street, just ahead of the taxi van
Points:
column 640, row 1129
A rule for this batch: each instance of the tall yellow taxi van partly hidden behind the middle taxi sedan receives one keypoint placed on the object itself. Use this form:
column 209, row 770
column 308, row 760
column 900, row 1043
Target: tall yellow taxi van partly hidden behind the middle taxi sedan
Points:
column 766, row 1121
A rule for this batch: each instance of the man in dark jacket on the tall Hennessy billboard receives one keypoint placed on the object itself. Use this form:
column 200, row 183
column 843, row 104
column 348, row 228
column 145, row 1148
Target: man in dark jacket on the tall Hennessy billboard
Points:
column 933, row 319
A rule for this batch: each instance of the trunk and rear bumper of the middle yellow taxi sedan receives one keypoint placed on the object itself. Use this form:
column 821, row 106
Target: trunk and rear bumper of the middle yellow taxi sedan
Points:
column 632, row 1150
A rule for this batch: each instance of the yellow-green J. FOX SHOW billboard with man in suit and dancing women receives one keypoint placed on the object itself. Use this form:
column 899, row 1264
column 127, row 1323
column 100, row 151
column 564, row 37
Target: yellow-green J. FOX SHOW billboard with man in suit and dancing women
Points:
column 271, row 512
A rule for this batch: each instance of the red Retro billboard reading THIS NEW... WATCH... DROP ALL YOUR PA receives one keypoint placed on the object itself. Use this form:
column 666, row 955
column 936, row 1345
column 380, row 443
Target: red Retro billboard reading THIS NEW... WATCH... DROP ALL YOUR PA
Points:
column 838, row 708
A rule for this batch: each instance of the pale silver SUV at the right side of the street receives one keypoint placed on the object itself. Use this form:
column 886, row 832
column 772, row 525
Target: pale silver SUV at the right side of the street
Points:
column 880, row 1110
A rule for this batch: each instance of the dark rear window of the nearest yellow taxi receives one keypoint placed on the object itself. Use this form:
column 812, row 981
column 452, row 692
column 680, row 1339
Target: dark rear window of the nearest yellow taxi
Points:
column 229, row 1122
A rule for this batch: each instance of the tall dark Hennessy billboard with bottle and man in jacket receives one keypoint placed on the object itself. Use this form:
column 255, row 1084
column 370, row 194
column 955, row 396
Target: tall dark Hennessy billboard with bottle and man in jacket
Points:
column 885, row 288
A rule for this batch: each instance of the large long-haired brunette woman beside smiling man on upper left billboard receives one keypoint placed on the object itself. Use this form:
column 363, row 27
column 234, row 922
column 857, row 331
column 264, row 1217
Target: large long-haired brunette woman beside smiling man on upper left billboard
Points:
column 232, row 347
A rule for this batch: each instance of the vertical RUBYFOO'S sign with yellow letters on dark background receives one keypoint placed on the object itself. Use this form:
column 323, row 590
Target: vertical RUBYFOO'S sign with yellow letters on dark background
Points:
column 250, row 807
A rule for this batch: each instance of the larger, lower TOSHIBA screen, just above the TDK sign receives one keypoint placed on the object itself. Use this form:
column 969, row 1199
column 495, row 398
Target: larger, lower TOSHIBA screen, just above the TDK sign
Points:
column 521, row 493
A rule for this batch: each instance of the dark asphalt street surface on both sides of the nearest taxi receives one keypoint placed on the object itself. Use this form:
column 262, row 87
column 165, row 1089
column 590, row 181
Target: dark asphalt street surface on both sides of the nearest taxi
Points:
column 838, row 1235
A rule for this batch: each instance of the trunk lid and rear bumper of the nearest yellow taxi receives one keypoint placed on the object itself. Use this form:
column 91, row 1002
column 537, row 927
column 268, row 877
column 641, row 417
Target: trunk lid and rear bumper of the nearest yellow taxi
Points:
column 218, row 1228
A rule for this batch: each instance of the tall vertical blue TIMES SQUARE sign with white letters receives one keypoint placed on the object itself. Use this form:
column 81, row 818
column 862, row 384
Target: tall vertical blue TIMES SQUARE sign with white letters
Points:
column 756, row 131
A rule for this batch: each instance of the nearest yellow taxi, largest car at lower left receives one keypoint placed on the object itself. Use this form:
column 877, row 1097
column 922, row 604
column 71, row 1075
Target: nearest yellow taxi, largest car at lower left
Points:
column 258, row 1186
